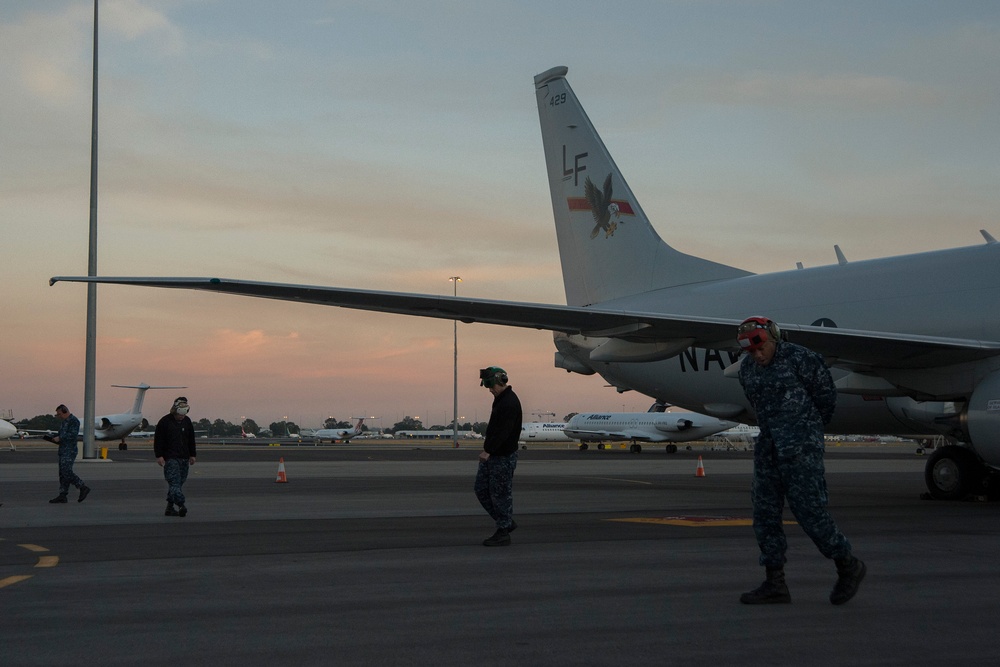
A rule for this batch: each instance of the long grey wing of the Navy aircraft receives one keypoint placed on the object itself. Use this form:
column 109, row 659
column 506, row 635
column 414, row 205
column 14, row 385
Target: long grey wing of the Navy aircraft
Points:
column 676, row 332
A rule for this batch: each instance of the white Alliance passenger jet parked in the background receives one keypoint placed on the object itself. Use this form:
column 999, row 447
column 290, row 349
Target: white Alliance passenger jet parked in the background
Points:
column 655, row 425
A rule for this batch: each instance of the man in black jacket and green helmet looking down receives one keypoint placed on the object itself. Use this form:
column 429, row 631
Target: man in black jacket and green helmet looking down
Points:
column 495, row 478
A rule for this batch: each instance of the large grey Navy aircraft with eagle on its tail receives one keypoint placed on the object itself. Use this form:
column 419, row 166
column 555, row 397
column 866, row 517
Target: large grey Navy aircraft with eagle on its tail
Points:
column 911, row 340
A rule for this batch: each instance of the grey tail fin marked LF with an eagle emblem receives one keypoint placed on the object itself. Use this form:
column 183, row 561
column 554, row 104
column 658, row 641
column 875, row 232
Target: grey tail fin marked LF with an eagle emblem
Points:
column 607, row 246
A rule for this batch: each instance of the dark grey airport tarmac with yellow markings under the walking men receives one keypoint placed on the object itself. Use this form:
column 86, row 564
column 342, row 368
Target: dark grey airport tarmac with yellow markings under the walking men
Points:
column 371, row 554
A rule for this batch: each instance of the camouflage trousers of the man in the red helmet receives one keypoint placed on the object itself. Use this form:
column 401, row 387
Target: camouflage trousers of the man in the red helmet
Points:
column 802, row 482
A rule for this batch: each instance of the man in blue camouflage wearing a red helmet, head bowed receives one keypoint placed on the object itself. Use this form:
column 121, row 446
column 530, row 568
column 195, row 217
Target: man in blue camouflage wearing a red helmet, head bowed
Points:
column 793, row 395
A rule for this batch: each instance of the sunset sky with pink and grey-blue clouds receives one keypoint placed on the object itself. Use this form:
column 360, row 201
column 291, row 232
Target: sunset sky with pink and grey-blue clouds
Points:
column 390, row 145
